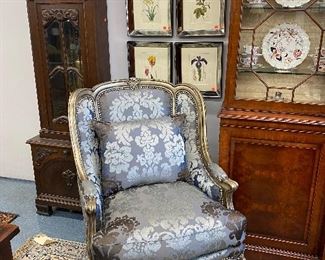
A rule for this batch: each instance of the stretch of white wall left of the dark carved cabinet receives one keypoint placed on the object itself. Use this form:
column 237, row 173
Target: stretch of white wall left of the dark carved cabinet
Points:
column 19, row 118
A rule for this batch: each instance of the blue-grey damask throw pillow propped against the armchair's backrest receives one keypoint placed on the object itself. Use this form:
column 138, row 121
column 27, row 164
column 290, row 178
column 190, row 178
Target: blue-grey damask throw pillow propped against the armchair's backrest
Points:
column 140, row 152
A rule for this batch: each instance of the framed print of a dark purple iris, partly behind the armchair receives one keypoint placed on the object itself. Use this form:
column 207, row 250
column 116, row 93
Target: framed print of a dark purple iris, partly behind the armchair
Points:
column 200, row 64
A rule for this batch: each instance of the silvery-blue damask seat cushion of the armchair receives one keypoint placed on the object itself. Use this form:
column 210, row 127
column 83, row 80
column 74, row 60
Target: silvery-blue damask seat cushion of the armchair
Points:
column 166, row 221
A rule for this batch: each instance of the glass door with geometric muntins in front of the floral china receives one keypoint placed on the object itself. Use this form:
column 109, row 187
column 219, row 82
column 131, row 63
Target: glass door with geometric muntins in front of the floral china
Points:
column 281, row 56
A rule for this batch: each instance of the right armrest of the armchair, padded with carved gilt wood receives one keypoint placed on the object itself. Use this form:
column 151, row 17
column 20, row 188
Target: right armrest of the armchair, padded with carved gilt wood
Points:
column 221, row 179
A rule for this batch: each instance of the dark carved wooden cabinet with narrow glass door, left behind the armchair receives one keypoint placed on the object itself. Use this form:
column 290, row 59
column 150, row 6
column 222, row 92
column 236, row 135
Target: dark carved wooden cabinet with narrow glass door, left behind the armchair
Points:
column 70, row 50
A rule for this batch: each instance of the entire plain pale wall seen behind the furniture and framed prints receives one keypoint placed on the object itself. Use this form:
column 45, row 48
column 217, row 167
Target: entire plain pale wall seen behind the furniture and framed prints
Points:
column 19, row 118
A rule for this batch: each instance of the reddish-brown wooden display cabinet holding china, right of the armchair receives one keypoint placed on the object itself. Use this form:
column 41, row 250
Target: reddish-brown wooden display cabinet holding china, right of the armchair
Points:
column 272, row 137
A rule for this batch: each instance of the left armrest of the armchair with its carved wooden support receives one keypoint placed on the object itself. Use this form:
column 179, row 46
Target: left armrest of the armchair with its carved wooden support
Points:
column 88, row 196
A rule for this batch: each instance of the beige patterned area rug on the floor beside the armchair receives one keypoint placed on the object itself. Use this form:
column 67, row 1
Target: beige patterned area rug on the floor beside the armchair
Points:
column 59, row 250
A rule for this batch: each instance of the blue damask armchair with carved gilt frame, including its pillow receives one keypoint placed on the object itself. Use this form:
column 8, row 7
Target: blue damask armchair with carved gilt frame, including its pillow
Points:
column 148, row 188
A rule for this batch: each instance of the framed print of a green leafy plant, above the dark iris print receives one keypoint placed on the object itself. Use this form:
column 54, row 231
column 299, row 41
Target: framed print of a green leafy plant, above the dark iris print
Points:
column 200, row 17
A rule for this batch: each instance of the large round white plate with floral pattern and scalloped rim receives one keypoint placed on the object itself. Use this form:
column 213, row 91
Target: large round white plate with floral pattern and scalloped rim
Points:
column 285, row 46
